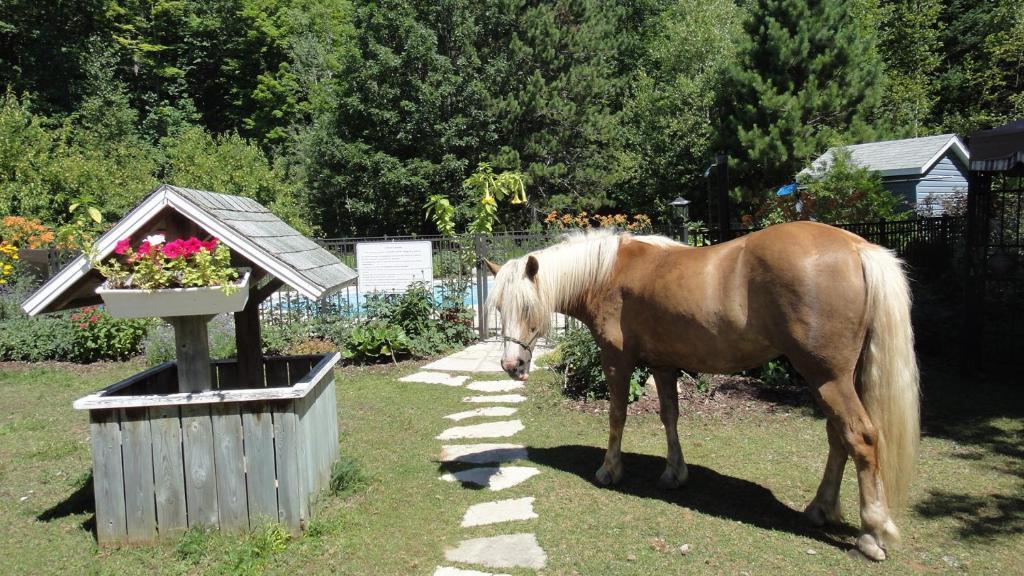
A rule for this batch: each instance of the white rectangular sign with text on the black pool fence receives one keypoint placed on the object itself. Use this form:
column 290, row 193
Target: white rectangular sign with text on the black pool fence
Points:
column 392, row 267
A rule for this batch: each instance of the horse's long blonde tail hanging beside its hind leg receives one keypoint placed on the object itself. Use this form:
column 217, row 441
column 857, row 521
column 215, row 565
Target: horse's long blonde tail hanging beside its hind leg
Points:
column 889, row 385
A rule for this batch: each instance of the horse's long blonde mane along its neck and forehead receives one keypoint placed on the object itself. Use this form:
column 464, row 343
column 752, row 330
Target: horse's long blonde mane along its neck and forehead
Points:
column 583, row 261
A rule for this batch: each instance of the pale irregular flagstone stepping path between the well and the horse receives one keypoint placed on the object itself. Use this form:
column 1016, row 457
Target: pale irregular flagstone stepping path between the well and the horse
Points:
column 518, row 550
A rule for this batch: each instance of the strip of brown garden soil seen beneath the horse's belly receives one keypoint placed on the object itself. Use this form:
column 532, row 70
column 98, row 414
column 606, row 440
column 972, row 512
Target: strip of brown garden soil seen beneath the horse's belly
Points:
column 727, row 397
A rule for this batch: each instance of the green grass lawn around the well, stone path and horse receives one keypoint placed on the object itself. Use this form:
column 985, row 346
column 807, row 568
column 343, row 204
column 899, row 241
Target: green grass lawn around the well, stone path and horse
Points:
column 750, row 476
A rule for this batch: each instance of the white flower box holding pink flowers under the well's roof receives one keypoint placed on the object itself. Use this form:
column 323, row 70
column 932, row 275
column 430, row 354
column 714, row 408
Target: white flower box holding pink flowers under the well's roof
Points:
column 164, row 303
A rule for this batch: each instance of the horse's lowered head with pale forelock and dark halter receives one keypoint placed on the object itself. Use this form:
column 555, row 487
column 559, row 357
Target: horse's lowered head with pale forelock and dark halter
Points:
column 525, row 316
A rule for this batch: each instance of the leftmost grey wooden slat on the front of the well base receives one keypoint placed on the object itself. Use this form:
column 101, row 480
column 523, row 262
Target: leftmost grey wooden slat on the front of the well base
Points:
column 108, row 478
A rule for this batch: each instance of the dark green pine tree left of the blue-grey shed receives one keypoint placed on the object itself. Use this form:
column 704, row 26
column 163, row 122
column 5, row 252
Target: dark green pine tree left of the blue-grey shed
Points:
column 809, row 75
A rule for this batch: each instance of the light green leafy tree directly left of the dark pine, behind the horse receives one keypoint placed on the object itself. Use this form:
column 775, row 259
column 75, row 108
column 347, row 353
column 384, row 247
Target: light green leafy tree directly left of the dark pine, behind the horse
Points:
column 673, row 114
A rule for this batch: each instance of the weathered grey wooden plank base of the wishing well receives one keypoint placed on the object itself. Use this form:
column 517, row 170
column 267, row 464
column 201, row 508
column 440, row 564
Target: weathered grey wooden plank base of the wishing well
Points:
column 232, row 458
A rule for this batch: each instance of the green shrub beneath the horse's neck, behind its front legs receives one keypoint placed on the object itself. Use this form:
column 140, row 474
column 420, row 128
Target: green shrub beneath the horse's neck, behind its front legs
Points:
column 580, row 360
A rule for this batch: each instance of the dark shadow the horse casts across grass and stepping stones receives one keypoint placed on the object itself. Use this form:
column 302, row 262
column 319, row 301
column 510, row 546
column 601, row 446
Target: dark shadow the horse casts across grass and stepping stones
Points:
column 707, row 491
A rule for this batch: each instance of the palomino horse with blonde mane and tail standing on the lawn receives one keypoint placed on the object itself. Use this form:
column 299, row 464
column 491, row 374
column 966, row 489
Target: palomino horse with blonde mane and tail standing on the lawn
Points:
column 835, row 305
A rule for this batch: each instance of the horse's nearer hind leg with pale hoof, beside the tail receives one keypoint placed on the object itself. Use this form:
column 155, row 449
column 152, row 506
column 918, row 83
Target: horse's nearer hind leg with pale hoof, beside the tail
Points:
column 860, row 437
